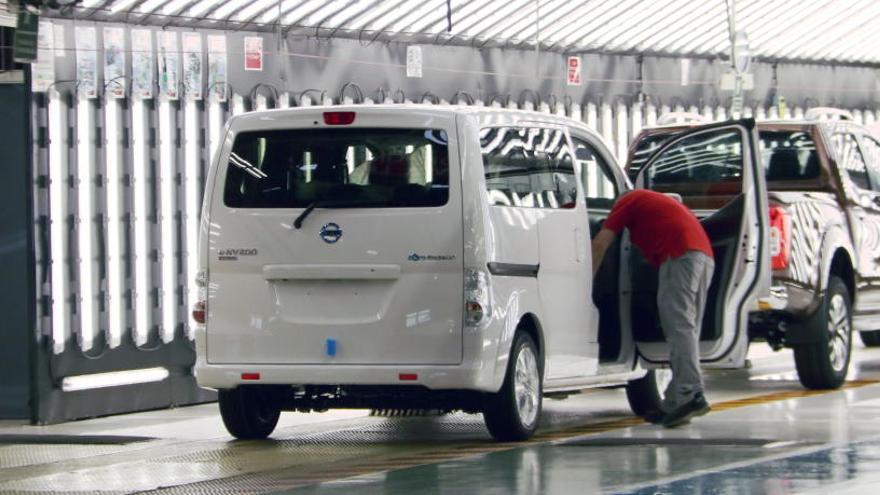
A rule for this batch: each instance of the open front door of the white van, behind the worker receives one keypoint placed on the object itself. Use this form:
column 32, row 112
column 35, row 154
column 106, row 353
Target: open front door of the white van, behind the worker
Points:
column 716, row 170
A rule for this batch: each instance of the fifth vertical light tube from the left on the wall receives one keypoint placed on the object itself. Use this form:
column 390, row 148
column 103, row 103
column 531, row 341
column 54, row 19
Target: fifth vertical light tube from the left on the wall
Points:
column 167, row 195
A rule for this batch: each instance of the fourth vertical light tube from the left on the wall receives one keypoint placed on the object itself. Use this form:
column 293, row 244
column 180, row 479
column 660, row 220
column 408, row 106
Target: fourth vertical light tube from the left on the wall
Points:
column 140, row 222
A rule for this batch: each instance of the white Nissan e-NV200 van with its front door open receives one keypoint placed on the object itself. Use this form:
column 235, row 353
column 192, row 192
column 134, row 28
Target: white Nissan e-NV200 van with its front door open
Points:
column 412, row 256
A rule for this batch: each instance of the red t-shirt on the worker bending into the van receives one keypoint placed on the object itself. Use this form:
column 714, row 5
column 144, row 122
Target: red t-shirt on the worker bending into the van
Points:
column 659, row 225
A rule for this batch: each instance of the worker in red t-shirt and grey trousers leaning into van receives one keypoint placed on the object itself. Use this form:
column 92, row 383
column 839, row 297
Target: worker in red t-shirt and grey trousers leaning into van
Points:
column 672, row 240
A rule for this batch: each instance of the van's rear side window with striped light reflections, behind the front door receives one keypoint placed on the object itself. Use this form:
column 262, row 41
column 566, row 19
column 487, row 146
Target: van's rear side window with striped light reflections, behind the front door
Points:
column 528, row 167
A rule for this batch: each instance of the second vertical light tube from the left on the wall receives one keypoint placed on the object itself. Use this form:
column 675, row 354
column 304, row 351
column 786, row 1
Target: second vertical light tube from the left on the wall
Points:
column 85, row 157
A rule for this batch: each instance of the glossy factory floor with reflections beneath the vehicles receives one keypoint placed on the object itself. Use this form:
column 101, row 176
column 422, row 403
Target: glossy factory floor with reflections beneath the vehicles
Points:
column 766, row 435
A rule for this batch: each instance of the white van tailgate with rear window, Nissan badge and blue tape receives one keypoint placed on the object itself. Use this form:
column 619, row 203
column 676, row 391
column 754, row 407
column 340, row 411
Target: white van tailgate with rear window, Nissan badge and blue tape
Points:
column 337, row 242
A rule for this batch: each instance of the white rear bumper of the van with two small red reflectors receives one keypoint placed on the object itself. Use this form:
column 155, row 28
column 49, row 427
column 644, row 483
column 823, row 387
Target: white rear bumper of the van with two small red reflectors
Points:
column 437, row 377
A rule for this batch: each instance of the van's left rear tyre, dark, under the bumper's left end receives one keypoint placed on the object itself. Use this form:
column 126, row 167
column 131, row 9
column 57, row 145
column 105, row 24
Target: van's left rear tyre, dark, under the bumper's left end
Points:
column 248, row 412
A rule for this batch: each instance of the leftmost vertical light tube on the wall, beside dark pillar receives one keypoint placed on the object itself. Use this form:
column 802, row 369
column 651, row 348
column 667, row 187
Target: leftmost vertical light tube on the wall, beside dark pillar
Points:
column 58, row 211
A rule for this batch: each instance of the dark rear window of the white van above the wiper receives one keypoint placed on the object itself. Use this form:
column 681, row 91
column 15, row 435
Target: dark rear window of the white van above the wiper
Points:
column 379, row 168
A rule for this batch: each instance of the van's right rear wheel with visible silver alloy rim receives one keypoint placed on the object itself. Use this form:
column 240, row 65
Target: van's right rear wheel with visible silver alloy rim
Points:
column 513, row 412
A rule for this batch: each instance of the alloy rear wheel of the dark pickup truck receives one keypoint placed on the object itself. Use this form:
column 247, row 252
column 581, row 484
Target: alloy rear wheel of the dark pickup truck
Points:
column 824, row 364
